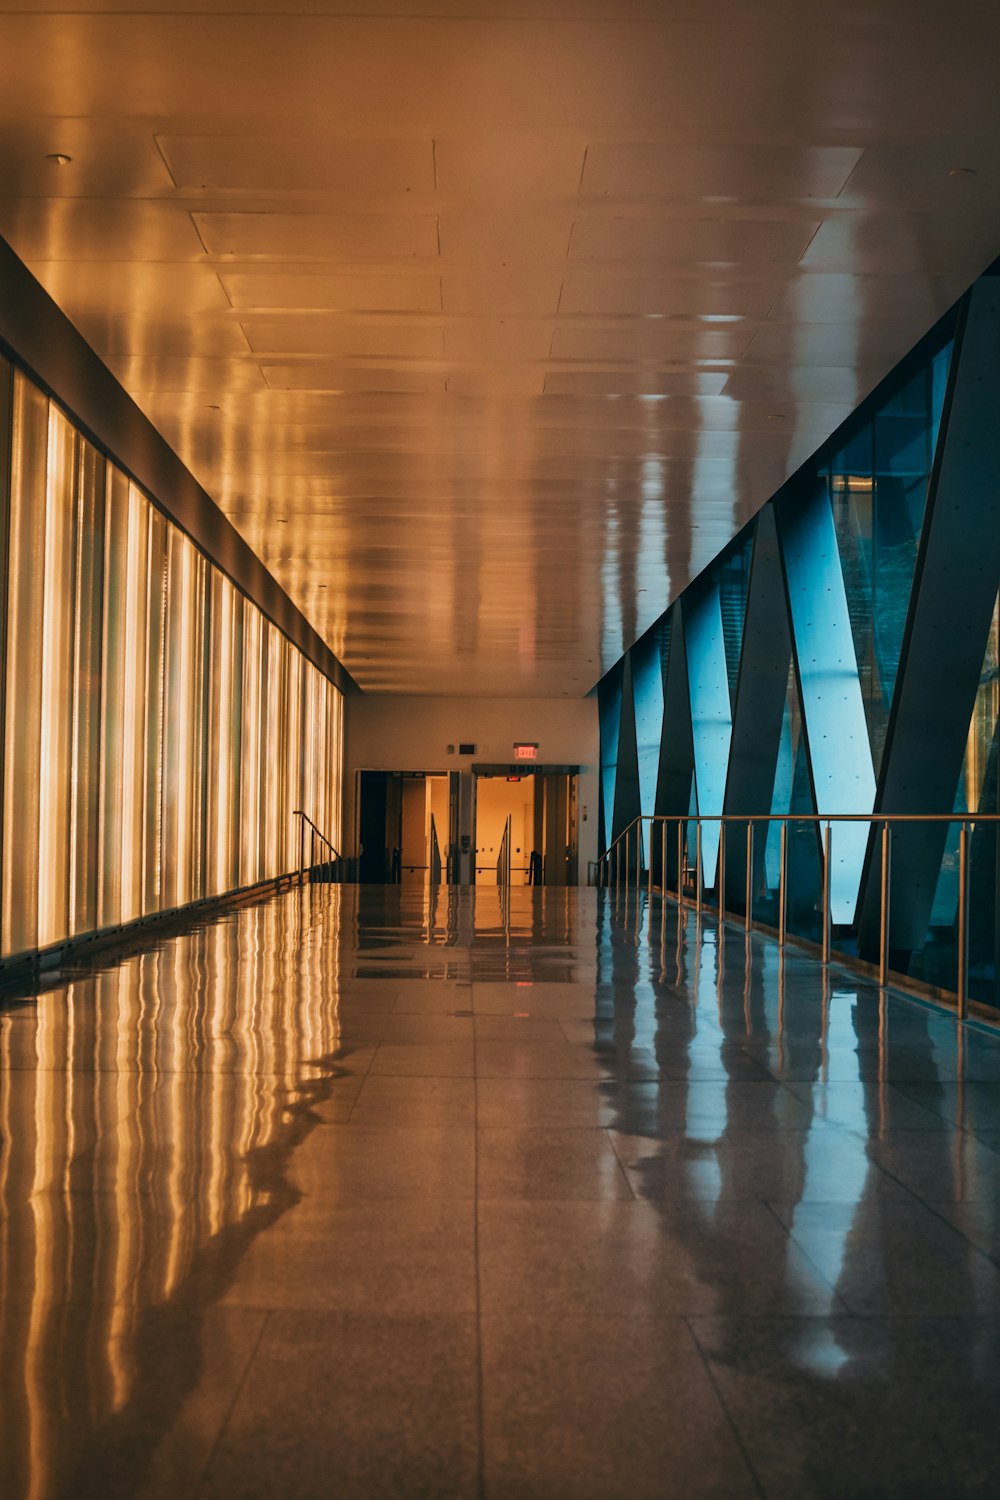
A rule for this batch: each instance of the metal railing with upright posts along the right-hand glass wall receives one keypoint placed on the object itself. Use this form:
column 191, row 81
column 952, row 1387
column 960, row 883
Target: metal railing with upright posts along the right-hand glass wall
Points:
column 623, row 866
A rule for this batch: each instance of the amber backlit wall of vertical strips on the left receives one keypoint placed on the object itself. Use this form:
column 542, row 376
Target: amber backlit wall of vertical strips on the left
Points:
column 160, row 733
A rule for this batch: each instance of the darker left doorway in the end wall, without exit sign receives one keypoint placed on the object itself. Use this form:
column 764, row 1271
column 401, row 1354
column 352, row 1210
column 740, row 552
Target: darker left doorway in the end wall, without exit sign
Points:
column 407, row 826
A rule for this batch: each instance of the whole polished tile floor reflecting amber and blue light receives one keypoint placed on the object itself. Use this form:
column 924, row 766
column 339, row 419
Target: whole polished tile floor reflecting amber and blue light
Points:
column 359, row 1193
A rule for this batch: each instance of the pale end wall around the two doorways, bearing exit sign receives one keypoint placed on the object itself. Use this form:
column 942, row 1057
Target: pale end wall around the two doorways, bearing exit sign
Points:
column 413, row 734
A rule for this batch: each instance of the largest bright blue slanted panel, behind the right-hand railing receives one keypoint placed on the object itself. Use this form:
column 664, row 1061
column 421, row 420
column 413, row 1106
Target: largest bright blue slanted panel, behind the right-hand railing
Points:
column 833, row 706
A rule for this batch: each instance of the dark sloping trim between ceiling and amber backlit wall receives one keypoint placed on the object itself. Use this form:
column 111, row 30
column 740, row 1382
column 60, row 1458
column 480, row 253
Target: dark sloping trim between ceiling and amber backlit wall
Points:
column 44, row 343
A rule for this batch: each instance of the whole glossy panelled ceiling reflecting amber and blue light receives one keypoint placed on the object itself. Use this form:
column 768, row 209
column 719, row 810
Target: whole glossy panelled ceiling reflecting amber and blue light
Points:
column 490, row 323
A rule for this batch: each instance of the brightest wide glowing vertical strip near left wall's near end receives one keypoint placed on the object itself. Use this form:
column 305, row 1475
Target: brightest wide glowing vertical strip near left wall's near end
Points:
column 58, row 679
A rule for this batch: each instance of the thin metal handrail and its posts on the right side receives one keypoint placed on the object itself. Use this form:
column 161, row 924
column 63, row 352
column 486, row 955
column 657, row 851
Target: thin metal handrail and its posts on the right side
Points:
column 609, row 868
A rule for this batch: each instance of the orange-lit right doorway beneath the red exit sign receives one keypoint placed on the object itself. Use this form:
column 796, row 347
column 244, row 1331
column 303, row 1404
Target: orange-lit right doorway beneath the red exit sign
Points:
column 543, row 835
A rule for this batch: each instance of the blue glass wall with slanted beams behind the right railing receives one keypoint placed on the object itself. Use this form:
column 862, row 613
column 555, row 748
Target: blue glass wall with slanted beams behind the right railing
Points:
column 857, row 622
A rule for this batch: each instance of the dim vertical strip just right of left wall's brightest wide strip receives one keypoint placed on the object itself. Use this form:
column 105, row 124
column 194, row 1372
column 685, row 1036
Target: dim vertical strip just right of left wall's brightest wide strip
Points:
column 86, row 728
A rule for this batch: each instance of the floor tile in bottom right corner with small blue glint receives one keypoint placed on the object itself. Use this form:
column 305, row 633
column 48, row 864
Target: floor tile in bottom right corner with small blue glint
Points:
column 867, row 1408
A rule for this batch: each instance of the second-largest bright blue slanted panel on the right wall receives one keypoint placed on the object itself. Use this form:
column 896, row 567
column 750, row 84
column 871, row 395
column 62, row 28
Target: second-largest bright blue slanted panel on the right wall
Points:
column 711, row 712
